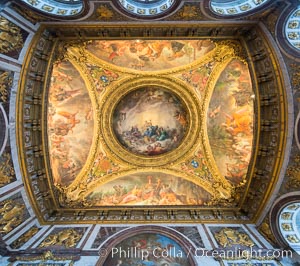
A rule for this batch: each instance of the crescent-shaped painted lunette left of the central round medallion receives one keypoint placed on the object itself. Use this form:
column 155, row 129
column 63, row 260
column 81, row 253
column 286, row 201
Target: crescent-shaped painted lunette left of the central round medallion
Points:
column 70, row 123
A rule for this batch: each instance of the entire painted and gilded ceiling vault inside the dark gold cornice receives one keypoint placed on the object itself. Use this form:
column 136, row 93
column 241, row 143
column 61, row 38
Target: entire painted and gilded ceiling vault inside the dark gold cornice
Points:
column 150, row 122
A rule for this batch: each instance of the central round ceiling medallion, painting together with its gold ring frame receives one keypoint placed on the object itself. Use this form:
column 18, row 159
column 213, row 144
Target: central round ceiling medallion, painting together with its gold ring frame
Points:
column 146, row 122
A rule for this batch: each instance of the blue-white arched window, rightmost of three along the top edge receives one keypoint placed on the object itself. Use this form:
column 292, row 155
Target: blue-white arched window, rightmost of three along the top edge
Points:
column 235, row 7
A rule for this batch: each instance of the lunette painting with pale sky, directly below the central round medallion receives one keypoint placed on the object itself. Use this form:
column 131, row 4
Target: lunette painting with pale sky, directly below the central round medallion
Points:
column 149, row 189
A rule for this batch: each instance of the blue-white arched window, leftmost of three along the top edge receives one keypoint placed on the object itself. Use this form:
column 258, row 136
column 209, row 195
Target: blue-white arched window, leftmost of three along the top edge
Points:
column 61, row 8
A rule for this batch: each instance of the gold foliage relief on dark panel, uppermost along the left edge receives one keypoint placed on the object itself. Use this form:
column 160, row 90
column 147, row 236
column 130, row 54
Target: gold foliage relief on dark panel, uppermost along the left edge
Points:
column 10, row 36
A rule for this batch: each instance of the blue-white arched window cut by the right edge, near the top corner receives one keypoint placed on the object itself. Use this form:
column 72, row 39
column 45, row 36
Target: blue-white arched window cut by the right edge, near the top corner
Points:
column 292, row 28
